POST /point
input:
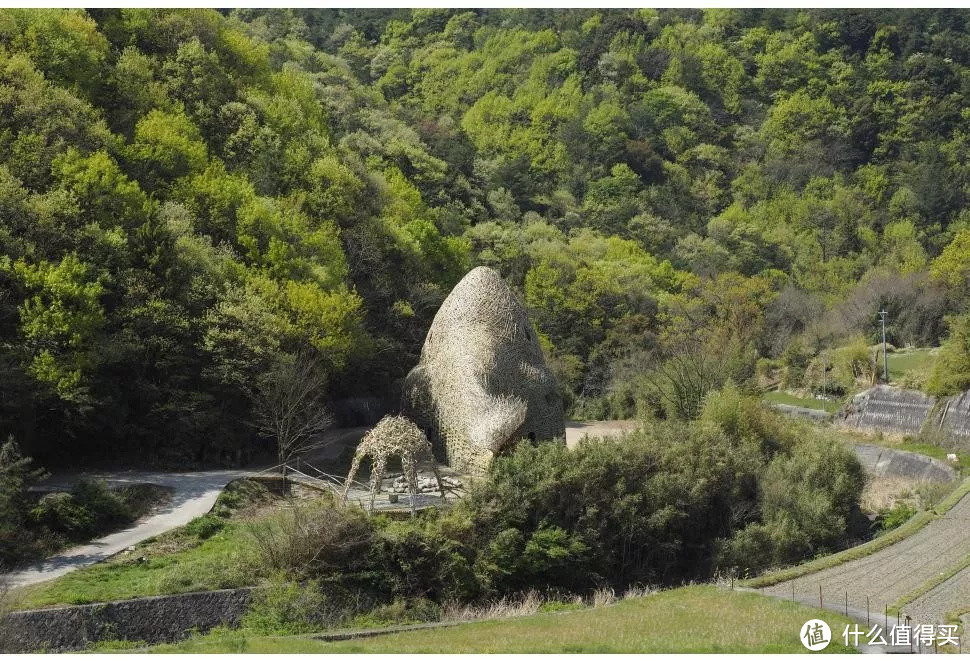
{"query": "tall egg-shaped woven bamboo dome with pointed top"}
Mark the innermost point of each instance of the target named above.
(482, 383)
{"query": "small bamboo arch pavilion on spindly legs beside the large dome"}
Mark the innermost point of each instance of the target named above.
(394, 435)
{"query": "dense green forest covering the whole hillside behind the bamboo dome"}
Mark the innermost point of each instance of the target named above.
(189, 197)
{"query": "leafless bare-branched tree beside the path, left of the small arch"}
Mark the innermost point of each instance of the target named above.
(291, 408)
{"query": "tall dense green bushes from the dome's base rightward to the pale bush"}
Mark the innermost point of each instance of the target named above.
(739, 488)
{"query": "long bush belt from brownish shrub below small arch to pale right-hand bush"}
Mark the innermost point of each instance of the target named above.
(736, 490)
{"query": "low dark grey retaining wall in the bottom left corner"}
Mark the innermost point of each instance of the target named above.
(153, 620)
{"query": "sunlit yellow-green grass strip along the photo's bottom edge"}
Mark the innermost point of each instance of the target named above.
(694, 619)
